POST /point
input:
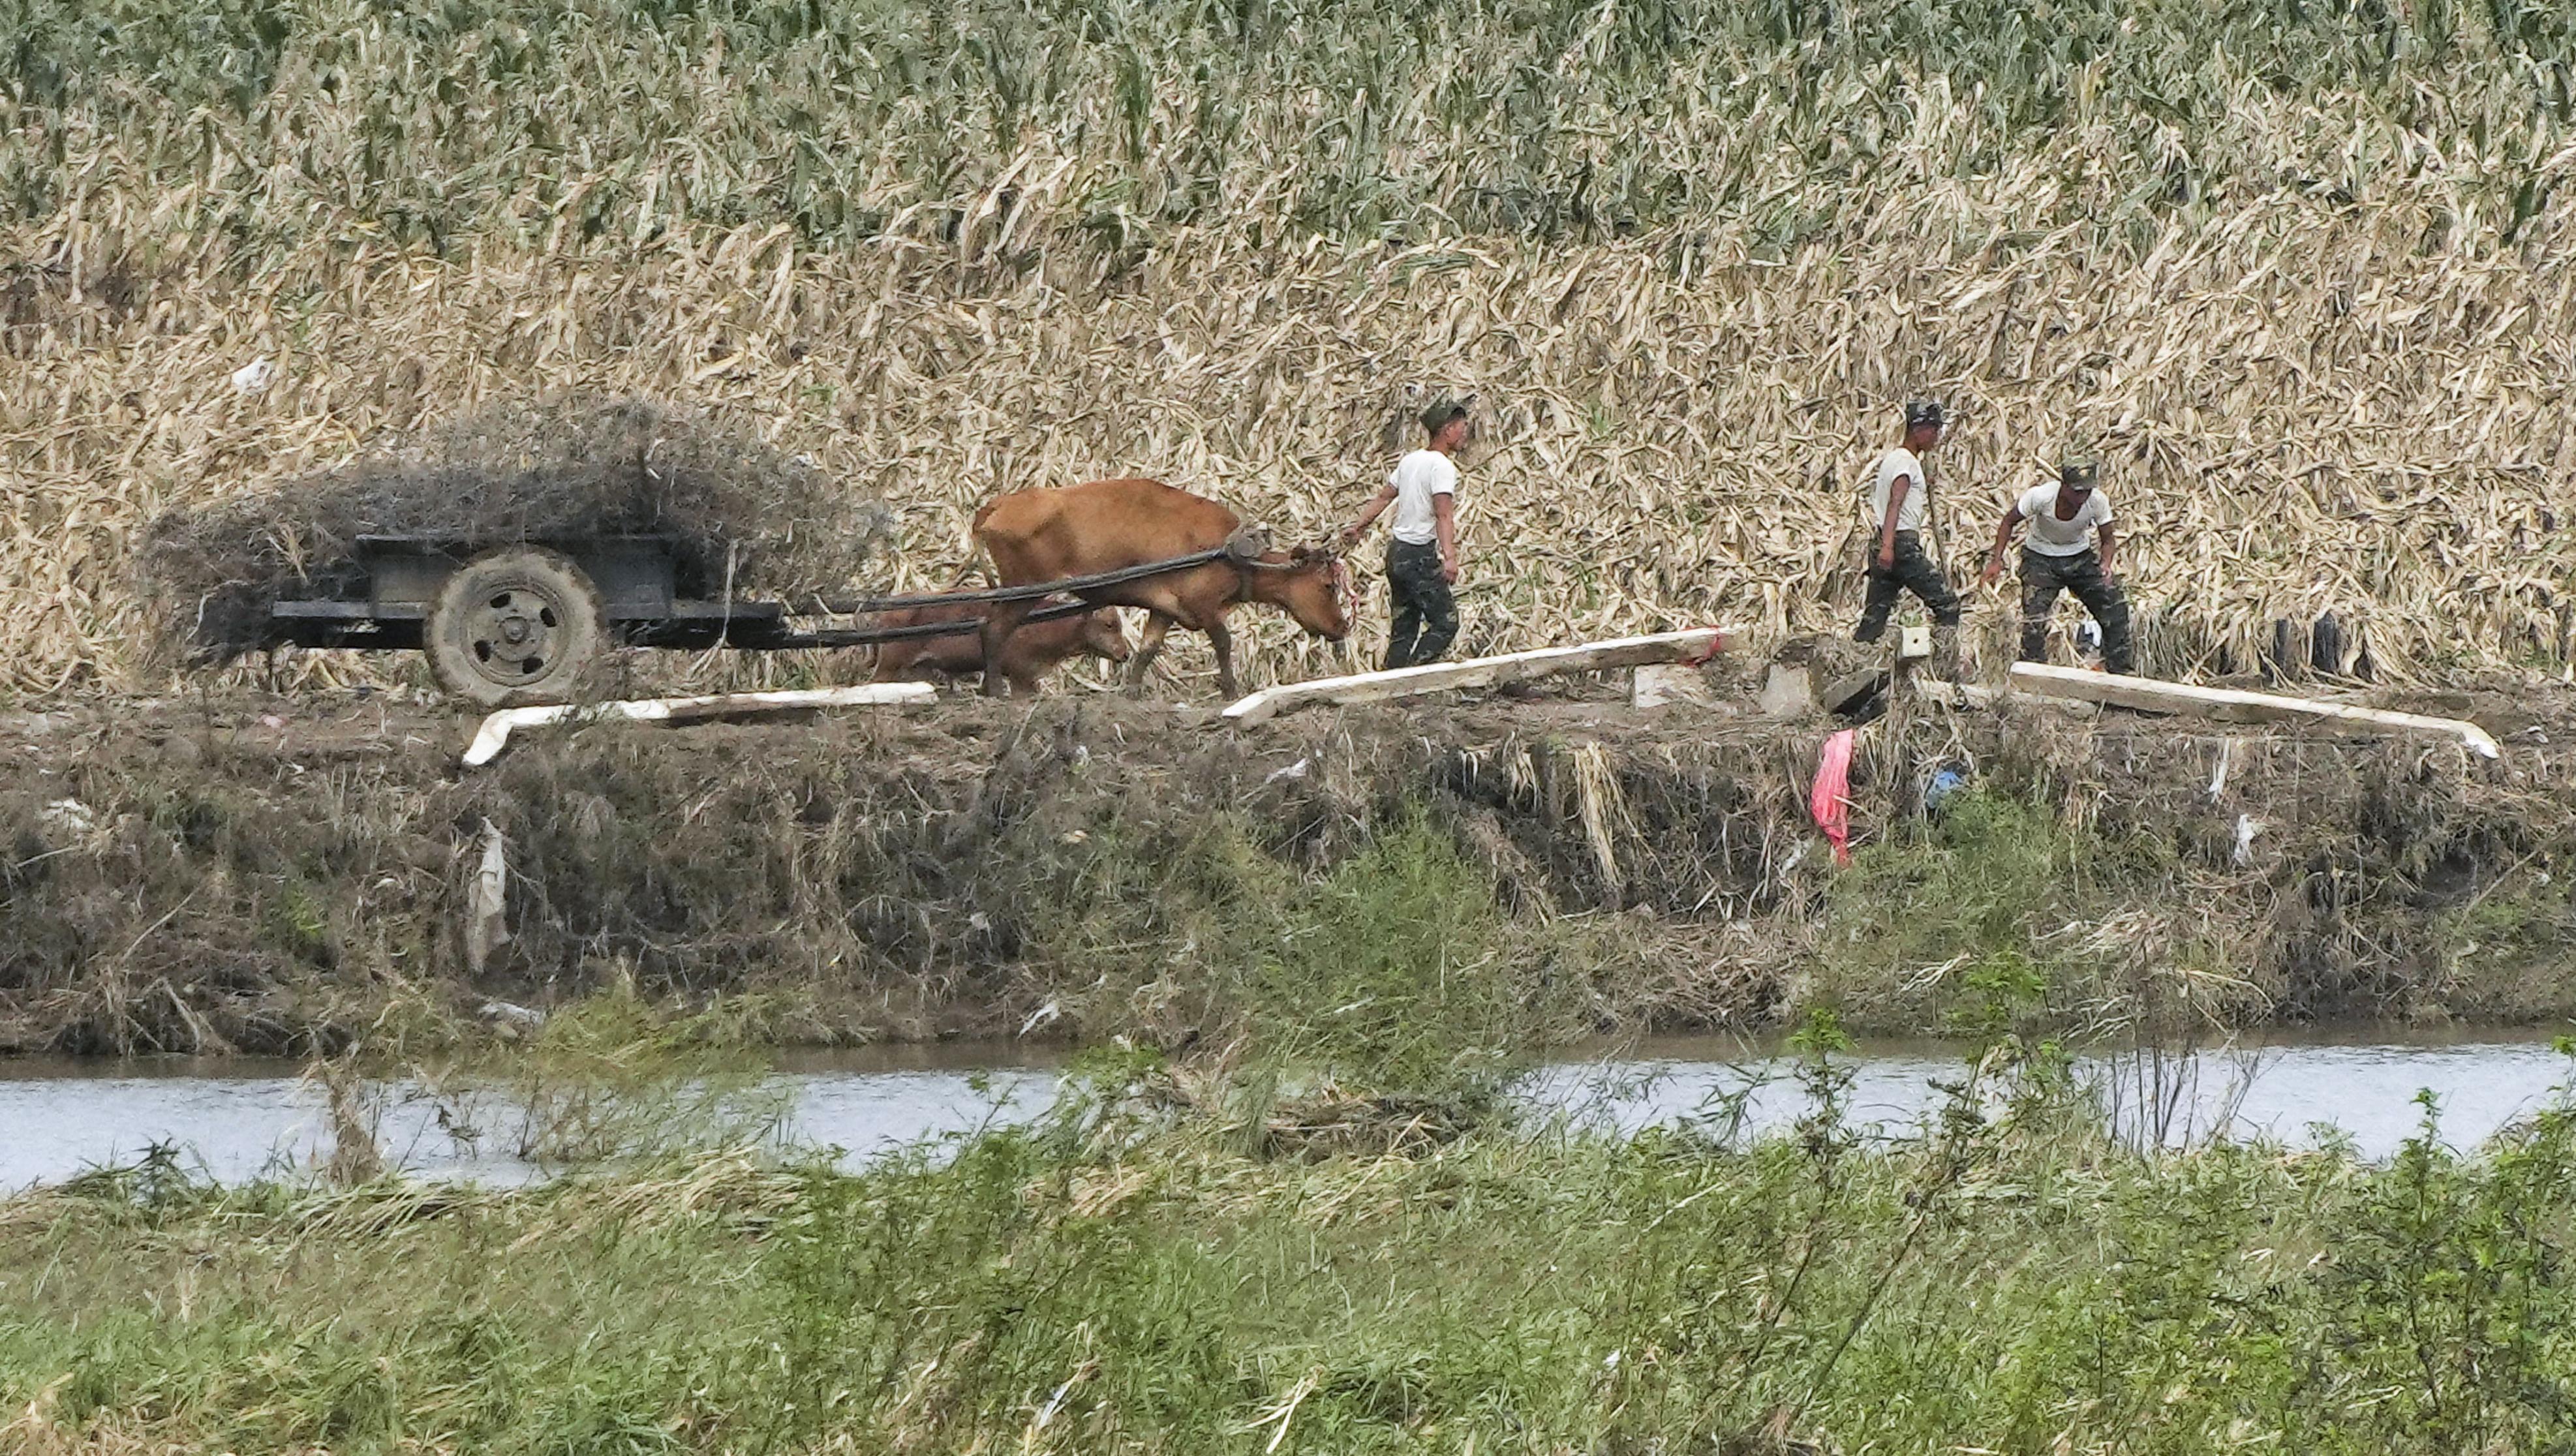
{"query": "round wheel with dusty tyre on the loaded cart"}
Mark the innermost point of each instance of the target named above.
(514, 627)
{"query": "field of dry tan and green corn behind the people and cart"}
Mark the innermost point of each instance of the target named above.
(2297, 269)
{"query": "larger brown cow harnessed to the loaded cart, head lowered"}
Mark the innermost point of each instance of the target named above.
(1109, 524)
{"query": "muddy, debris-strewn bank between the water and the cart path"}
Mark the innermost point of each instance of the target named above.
(267, 875)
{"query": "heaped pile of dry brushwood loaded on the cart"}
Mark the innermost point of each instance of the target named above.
(535, 470)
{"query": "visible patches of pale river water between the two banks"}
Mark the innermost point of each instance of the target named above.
(246, 1120)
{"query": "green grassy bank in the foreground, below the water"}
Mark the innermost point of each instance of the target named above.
(1173, 1269)
